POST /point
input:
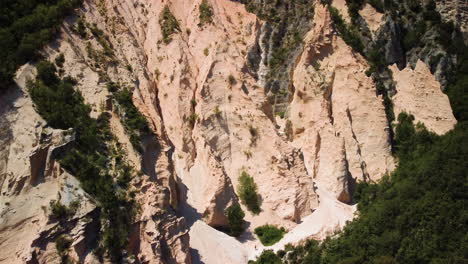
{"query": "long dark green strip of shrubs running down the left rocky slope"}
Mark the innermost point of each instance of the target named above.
(91, 156)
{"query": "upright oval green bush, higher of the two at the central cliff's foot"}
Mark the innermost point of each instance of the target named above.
(247, 190)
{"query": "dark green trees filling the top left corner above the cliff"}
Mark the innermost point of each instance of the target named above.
(25, 27)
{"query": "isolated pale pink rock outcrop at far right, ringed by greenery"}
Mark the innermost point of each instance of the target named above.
(420, 94)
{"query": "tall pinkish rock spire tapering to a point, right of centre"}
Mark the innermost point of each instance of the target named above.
(338, 121)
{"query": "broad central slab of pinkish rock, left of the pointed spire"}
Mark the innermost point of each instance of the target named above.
(210, 156)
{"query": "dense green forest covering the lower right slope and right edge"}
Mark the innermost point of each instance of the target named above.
(417, 214)
